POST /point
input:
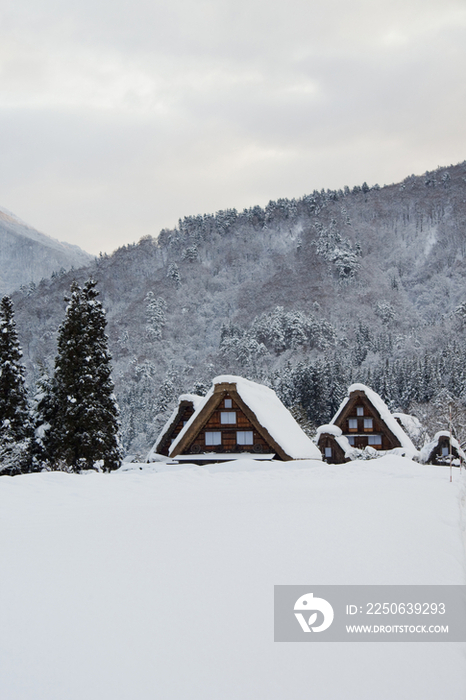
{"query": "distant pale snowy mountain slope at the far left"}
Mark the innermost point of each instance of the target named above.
(26, 255)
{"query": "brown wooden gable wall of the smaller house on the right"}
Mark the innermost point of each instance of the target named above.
(359, 435)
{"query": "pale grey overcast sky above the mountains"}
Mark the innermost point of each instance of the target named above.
(118, 117)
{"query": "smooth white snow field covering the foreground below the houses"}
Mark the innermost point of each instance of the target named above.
(158, 583)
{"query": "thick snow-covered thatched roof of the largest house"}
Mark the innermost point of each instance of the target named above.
(271, 414)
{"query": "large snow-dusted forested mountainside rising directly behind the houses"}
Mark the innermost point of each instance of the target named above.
(307, 295)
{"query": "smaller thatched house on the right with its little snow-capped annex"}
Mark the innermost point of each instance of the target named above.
(365, 421)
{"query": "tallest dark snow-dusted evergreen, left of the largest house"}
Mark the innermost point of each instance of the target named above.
(82, 410)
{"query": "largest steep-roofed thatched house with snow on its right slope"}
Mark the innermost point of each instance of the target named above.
(240, 418)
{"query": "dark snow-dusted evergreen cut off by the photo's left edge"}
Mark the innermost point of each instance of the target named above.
(15, 421)
